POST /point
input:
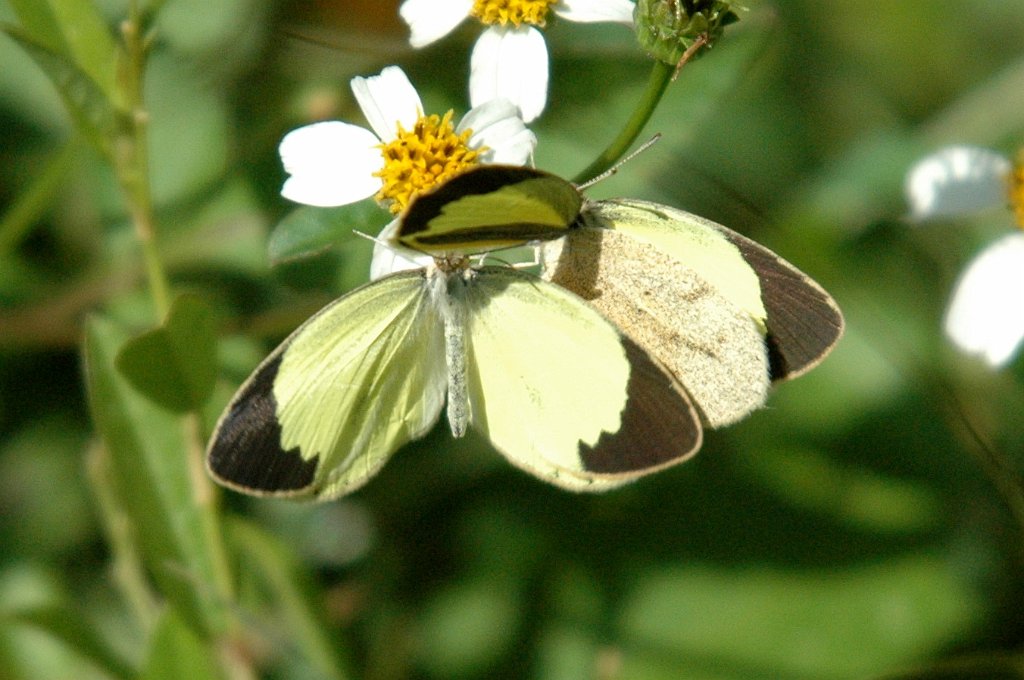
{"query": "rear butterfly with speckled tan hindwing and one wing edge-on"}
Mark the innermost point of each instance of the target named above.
(726, 315)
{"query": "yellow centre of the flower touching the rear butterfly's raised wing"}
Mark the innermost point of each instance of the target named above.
(417, 160)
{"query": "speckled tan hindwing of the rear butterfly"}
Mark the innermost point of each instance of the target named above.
(713, 347)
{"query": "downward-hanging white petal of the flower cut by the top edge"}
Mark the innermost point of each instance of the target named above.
(510, 64)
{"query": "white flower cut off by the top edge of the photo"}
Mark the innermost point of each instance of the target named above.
(510, 59)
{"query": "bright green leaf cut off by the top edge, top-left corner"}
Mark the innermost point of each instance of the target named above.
(76, 31)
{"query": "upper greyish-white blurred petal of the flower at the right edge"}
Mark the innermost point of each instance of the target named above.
(957, 181)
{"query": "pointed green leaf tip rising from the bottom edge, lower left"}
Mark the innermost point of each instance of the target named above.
(176, 653)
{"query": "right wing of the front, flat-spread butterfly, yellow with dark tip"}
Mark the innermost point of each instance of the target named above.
(562, 393)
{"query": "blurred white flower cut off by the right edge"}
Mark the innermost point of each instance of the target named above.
(987, 314)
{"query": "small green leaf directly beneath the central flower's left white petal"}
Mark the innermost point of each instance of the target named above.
(308, 231)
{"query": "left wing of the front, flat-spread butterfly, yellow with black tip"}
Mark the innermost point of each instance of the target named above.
(345, 392)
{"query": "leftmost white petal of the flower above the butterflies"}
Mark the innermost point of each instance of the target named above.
(330, 164)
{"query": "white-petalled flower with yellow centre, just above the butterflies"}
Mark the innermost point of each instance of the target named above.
(335, 163)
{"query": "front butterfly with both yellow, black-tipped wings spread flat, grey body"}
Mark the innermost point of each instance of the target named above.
(530, 366)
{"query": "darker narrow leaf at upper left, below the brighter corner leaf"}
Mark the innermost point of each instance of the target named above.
(93, 112)
